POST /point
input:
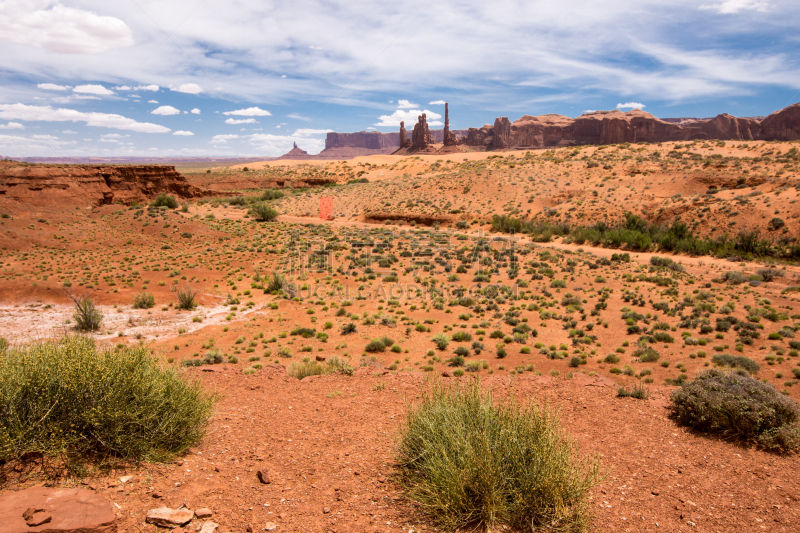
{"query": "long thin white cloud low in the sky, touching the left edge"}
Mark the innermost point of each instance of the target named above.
(102, 120)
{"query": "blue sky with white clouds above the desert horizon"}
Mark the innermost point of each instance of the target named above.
(165, 78)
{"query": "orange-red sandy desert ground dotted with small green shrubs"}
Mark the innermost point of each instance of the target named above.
(523, 269)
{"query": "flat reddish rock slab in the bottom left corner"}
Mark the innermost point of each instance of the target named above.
(42, 509)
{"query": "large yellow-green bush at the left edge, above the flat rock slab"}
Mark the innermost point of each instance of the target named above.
(69, 398)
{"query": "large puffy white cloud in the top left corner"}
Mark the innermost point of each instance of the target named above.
(61, 29)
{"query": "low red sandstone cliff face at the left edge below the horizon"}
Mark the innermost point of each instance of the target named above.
(81, 185)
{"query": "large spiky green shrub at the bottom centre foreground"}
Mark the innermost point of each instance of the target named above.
(468, 460)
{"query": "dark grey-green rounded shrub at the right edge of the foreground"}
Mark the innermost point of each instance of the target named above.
(738, 406)
